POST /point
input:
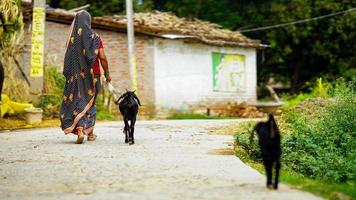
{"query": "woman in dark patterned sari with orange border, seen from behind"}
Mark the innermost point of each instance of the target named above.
(84, 48)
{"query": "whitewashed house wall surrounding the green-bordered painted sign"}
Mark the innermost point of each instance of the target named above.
(184, 74)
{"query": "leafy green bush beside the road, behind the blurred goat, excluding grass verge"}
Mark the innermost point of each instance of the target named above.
(318, 135)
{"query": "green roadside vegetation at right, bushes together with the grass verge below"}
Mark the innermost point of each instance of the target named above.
(318, 140)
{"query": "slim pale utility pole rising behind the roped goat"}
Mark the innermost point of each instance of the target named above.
(131, 45)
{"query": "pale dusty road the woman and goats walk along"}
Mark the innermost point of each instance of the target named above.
(170, 160)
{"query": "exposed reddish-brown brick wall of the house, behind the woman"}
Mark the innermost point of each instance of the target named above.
(115, 47)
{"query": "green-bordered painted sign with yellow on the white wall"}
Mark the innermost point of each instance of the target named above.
(229, 72)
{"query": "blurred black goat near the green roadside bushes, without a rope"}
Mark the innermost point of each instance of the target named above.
(270, 145)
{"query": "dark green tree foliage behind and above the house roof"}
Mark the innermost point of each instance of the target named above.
(297, 53)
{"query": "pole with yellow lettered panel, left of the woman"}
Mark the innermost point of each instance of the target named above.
(37, 47)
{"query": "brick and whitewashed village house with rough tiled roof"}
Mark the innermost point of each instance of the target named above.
(181, 64)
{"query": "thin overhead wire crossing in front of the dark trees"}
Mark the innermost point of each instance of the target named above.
(296, 22)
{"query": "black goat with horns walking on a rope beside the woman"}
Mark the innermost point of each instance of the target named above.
(129, 108)
